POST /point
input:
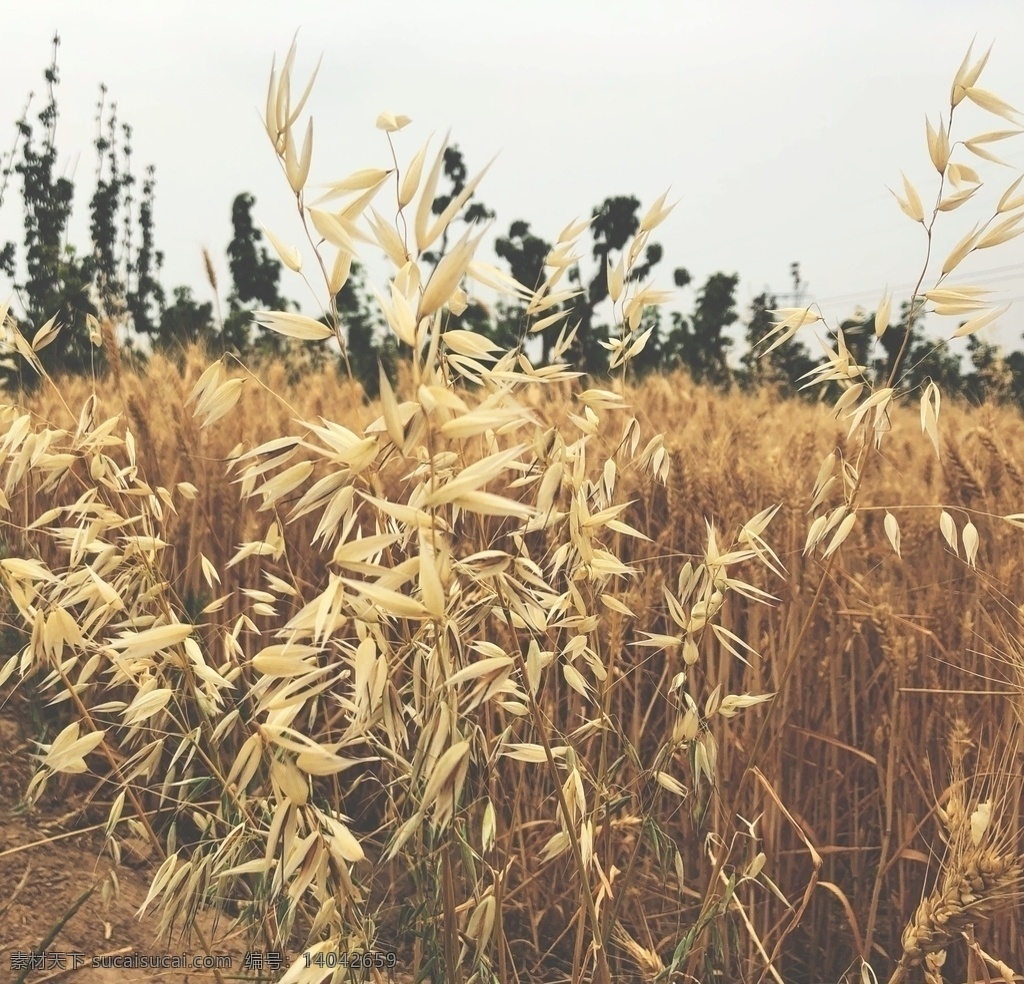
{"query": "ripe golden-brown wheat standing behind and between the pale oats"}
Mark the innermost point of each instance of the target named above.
(900, 682)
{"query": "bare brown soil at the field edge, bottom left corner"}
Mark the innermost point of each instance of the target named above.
(54, 854)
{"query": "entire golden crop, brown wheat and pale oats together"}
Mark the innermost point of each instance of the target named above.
(515, 675)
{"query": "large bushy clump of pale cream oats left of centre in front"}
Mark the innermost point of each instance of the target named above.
(461, 637)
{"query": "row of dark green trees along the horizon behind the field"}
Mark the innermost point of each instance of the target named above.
(119, 278)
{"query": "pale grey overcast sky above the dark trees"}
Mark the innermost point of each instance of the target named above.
(778, 125)
